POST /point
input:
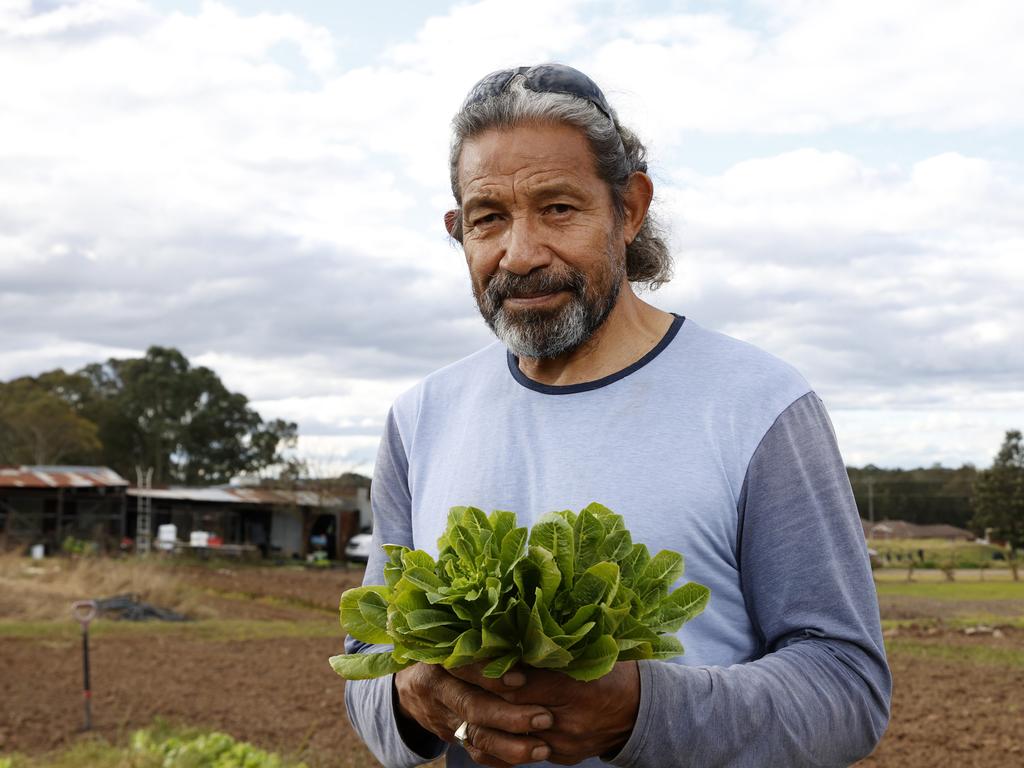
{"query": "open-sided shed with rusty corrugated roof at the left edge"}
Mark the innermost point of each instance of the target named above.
(46, 505)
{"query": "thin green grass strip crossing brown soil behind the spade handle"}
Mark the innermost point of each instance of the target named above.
(225, 630)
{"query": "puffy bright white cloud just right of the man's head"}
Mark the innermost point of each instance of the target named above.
(819, 195)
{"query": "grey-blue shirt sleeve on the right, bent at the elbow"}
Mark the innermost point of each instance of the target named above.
(820, 693)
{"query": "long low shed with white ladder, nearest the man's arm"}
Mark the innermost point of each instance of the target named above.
(279, 523)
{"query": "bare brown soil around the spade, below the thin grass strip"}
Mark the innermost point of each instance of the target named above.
(279, 694)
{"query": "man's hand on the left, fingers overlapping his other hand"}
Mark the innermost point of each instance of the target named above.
(498, 731)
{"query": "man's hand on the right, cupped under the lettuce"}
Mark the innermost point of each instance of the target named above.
(590, 719)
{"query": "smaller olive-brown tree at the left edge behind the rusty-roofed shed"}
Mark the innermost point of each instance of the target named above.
(38, 428)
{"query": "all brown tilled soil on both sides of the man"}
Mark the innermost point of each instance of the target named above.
(950, 707)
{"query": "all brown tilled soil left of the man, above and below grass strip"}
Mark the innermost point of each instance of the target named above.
(279, 694)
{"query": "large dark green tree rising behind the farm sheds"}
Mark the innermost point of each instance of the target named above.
(161, 412)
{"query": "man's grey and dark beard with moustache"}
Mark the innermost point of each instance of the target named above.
(546, 334)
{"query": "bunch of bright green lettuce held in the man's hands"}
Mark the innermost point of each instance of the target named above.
(575, 594)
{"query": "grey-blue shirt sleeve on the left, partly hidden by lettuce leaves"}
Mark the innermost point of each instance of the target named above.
(370, 703)
